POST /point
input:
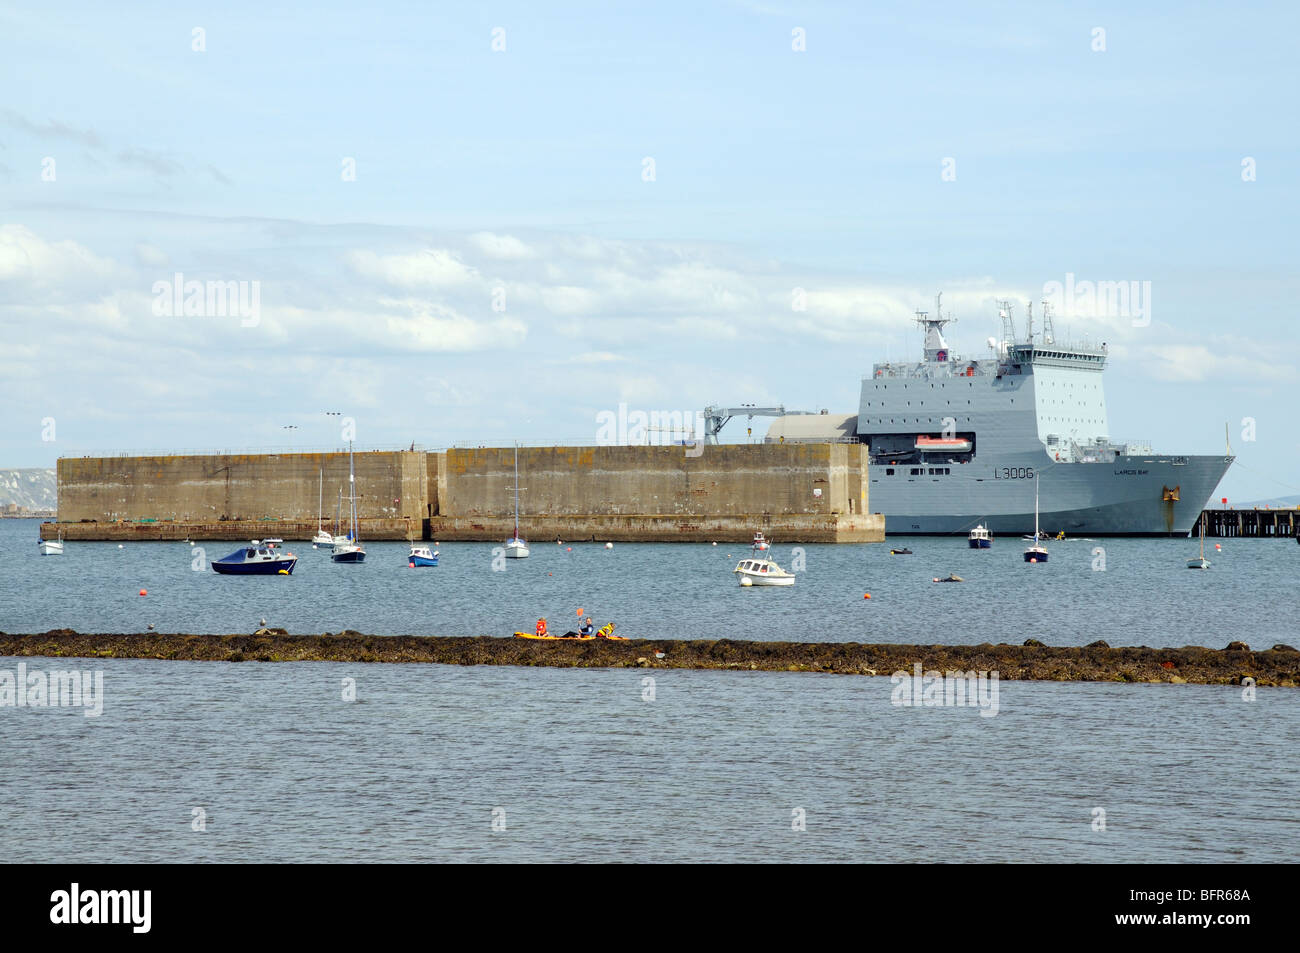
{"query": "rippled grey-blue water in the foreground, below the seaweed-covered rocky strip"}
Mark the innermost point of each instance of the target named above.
(579, 766)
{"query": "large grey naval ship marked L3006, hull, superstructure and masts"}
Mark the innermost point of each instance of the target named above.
(956, 444)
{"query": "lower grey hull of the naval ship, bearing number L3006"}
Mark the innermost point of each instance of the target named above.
(1134, 496)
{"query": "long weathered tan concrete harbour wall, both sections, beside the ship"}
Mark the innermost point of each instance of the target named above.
(799, 493)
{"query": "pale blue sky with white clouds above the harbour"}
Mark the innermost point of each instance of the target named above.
(478, 224)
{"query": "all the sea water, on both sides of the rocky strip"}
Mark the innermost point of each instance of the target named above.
(718, 766)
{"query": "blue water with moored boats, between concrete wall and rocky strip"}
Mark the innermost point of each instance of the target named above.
(1146, 596)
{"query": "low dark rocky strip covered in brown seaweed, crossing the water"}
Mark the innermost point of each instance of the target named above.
(1098, 662)
